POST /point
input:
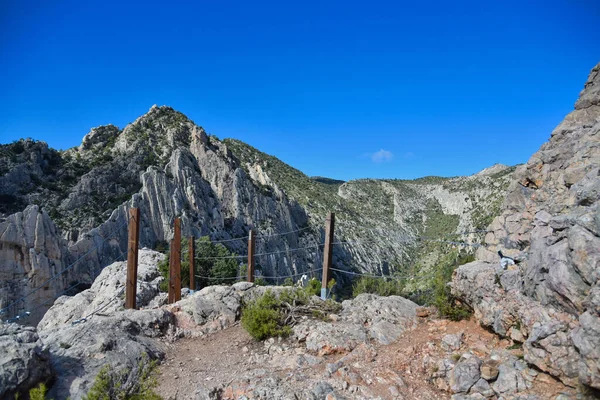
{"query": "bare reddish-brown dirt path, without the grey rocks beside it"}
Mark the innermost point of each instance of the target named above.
(233, 361)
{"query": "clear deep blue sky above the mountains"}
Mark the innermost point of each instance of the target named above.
(338, 89)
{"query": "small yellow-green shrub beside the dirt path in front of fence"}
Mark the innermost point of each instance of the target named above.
(262, 318)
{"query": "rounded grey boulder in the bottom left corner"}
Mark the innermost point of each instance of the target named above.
(23, 363)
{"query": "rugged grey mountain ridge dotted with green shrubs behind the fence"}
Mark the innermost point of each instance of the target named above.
(59, 206)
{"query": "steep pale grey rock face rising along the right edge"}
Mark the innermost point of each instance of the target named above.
(550, 223)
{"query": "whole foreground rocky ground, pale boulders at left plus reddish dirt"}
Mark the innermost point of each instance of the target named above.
(373, 347)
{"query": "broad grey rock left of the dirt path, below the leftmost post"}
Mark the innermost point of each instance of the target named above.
(122, 340)
